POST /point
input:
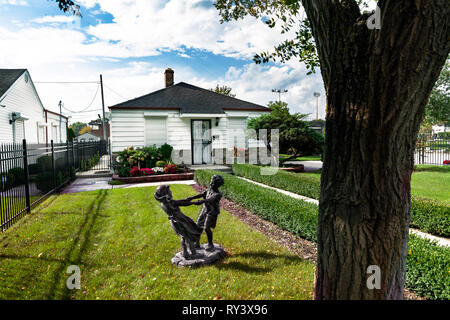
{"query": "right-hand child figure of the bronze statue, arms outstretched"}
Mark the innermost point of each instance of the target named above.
(207, 217)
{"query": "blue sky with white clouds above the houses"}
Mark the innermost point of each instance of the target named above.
(131, 43)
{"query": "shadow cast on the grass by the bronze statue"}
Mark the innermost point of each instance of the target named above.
(253, 267)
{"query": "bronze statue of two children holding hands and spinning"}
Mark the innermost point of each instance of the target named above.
(189, 231)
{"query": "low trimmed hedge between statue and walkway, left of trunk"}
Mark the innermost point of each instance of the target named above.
(297, 216)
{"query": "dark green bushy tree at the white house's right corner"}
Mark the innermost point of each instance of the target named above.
(296, 138)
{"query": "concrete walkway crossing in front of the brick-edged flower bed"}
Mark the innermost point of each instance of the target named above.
(92, 184)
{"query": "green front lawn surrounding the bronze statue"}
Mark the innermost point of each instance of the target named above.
(123, 243)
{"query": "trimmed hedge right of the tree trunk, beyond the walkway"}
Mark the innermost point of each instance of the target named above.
(430, 216)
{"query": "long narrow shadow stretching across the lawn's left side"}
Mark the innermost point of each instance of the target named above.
(82, 239)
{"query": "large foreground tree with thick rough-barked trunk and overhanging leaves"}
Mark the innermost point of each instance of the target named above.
(378, 82)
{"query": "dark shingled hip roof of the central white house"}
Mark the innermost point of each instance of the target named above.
(189, 99)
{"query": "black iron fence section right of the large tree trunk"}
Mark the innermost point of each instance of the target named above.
(432, 149)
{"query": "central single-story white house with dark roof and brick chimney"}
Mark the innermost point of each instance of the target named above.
(196, 122)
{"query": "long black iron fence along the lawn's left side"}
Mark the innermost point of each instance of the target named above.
(31, 172)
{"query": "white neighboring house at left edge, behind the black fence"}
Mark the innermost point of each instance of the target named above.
(22, 114)
